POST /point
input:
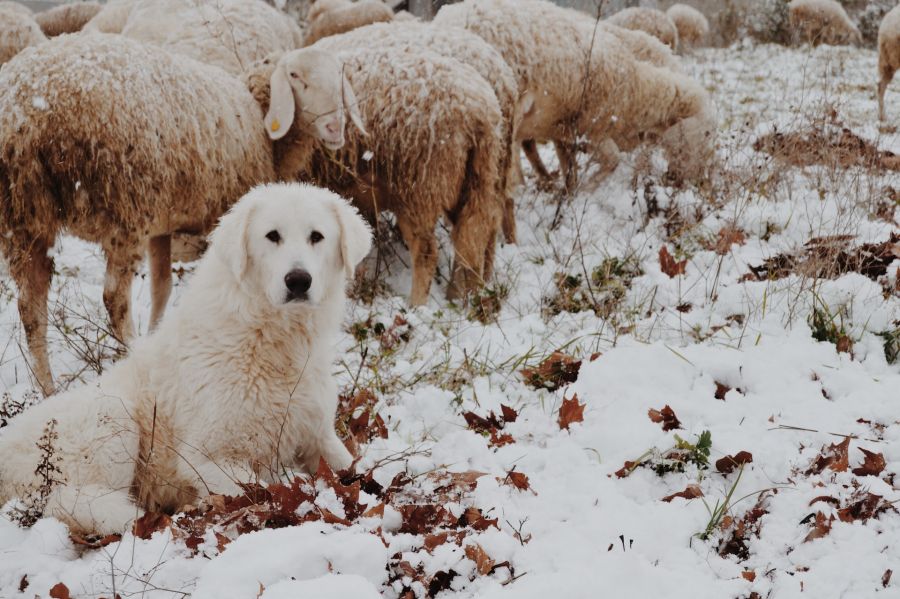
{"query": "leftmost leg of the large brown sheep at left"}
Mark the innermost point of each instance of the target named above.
(32, 273)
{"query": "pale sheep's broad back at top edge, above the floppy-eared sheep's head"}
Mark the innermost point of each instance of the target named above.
(230, 34)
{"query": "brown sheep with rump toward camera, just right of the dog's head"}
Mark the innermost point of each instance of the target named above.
(434, 147)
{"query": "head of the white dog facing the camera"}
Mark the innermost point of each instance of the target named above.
(291, 244)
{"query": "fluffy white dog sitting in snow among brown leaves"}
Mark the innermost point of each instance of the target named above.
(233, 386)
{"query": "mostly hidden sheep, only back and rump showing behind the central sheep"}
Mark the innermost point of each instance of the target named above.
(471, 50)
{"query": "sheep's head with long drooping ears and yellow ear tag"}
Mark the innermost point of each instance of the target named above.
(309, 90)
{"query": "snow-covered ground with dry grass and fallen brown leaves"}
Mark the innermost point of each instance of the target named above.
(729, 354)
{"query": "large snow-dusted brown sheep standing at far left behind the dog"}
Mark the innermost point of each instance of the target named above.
(122, 143)
